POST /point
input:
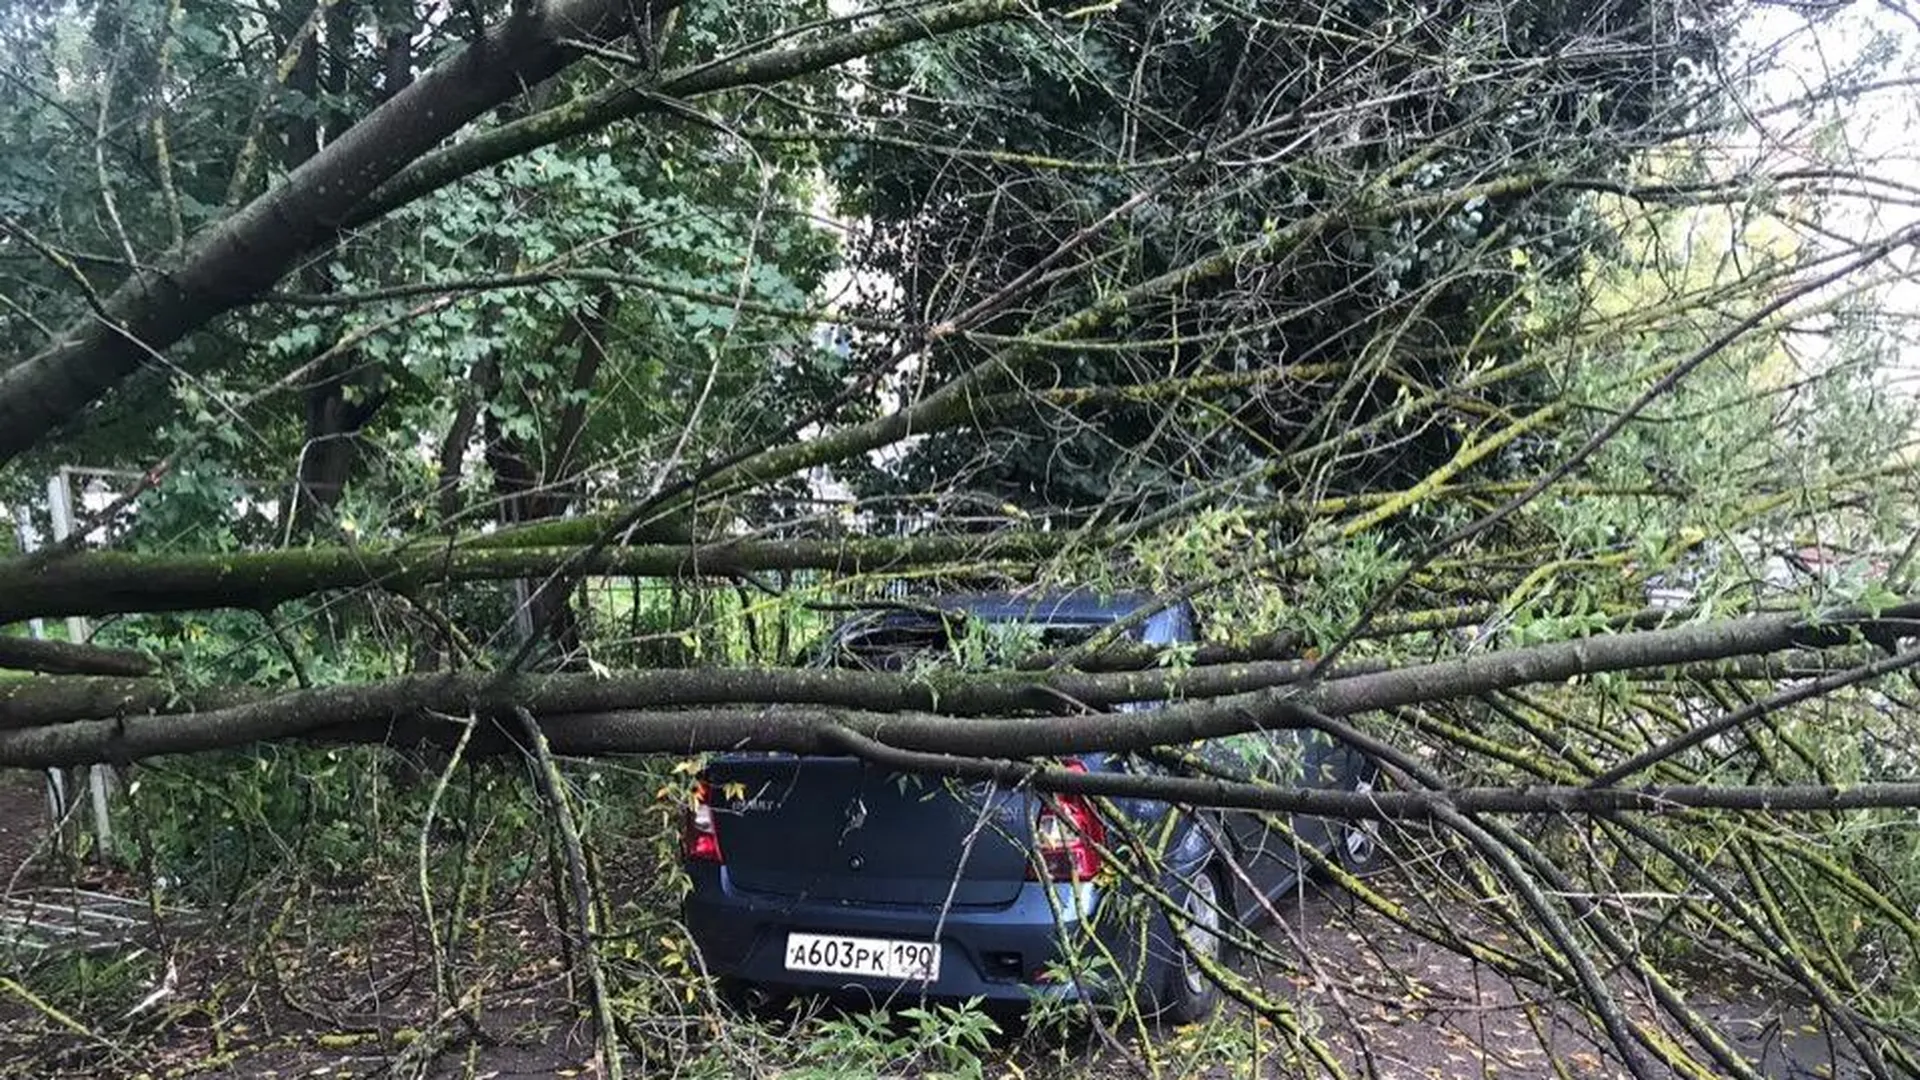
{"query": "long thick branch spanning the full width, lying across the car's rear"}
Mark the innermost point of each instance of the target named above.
(796, 710)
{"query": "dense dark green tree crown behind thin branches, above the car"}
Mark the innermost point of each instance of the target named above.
(1138, 105)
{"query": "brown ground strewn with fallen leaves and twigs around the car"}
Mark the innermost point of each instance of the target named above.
(331, 975)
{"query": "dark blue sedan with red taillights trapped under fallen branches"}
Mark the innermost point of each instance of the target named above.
(832, 875)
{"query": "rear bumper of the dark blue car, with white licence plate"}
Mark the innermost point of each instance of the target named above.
(997, 954)
